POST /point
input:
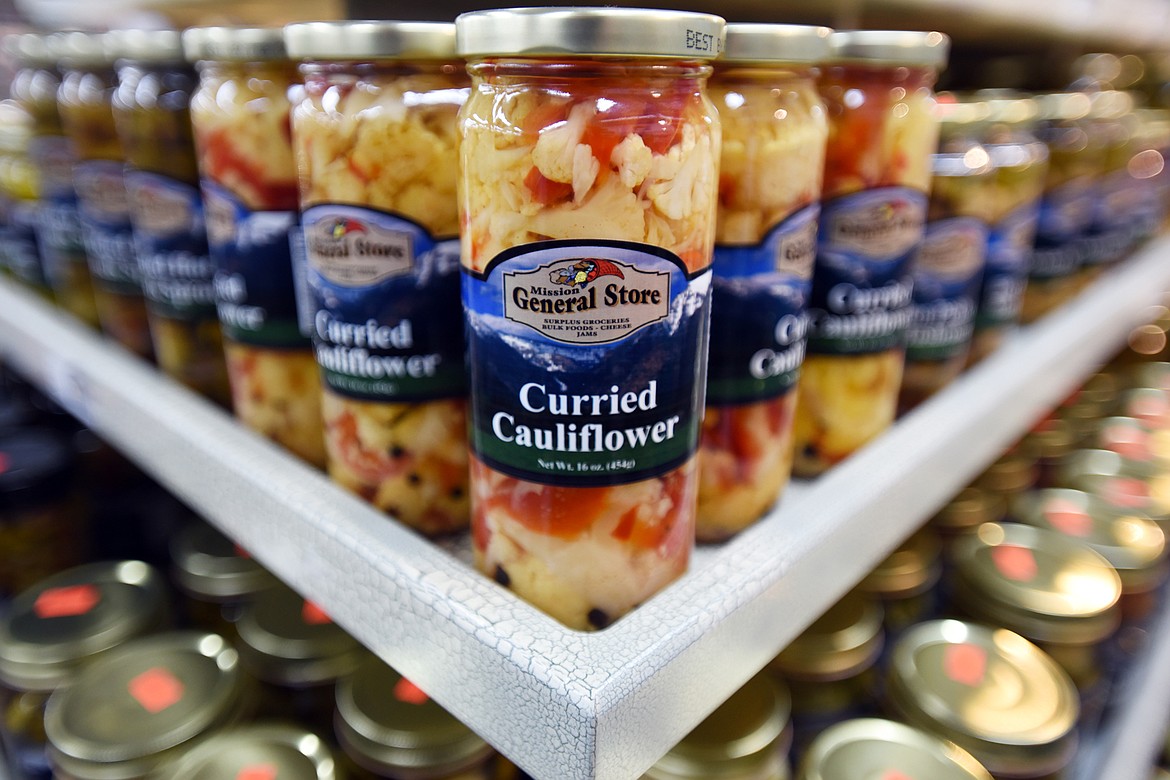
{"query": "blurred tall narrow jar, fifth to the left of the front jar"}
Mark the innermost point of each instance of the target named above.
(58, 225)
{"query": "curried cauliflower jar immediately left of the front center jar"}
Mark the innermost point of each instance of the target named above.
(376, 140)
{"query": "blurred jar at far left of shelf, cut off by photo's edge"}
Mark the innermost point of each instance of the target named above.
(20, 190)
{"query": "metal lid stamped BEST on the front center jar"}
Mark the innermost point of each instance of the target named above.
(590, 31)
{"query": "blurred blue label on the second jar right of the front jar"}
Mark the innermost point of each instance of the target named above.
(862, 284)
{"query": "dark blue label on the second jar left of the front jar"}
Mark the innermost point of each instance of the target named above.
(254, 293)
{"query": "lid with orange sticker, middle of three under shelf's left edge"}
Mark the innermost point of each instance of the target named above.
(290, 641)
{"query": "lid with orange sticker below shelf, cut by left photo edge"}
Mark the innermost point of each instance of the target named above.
(50, 631)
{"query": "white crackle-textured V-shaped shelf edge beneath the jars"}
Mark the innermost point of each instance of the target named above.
(568, 706)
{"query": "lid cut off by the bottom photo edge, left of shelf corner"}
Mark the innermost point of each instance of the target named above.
(261, 750)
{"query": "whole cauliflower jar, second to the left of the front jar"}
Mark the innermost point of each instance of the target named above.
(240, 115)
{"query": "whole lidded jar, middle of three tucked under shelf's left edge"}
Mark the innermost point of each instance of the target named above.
(299, 654)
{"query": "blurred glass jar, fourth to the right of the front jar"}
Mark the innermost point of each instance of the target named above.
(1020, 162)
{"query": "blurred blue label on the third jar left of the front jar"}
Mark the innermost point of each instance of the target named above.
(171, 243)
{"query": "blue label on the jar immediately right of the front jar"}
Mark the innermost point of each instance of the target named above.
(759, 321)
